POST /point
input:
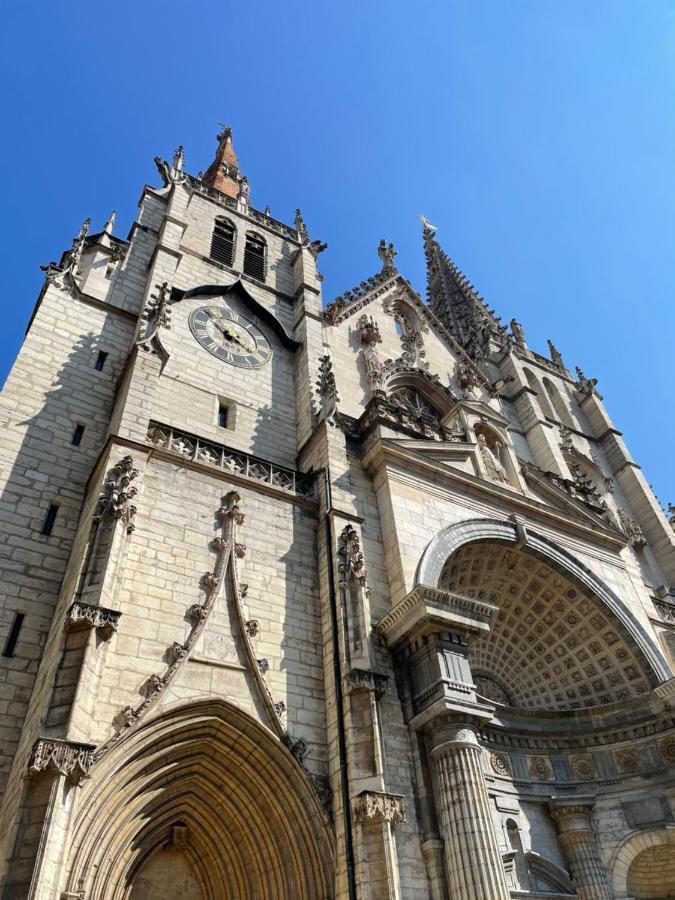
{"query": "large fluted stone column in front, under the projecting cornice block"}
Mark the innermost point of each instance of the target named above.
(473, 861)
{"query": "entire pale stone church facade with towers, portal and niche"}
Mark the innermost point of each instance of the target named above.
(300, 600)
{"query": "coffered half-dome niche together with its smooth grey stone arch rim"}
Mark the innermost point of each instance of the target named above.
(560, 639)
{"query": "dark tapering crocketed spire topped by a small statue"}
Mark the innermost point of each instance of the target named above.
(455, 302)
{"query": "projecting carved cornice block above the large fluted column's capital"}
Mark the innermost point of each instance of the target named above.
(427, 610)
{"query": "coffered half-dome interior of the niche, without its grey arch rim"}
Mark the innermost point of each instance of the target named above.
(553, 644)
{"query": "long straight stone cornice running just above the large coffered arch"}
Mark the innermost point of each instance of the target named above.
(386, 450)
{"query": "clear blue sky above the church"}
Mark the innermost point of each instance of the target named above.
(537, 135)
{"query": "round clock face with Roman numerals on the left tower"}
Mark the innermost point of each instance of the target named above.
(230, 337)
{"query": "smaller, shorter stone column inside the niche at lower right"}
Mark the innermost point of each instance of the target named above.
(580, 847)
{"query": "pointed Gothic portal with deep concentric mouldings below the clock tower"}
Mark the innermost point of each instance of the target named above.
(206, 795)
